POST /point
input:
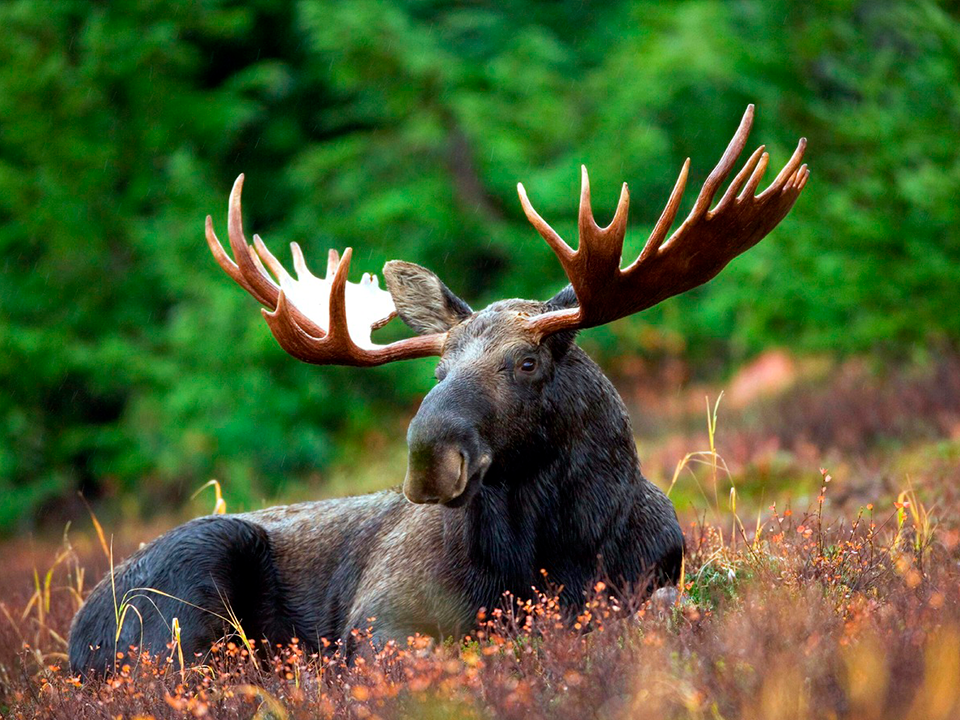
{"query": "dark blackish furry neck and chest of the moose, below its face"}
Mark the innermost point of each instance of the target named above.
(548, 503)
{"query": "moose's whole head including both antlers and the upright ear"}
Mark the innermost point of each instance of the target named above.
(495, 363)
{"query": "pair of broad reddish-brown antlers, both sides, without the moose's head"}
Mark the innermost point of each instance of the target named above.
(329, 320)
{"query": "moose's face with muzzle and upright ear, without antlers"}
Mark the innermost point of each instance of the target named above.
(491, 379)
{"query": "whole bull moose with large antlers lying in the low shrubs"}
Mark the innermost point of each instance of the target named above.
(521, 459)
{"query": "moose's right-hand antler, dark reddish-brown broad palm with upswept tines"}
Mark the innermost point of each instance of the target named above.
(698, 250)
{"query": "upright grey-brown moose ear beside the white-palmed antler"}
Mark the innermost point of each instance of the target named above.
(423, 301)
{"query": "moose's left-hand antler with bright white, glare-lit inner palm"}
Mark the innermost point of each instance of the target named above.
(309, 316)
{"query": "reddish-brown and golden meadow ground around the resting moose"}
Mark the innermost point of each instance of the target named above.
(821, 580)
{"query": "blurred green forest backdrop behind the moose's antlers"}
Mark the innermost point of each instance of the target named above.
(129, 361)
